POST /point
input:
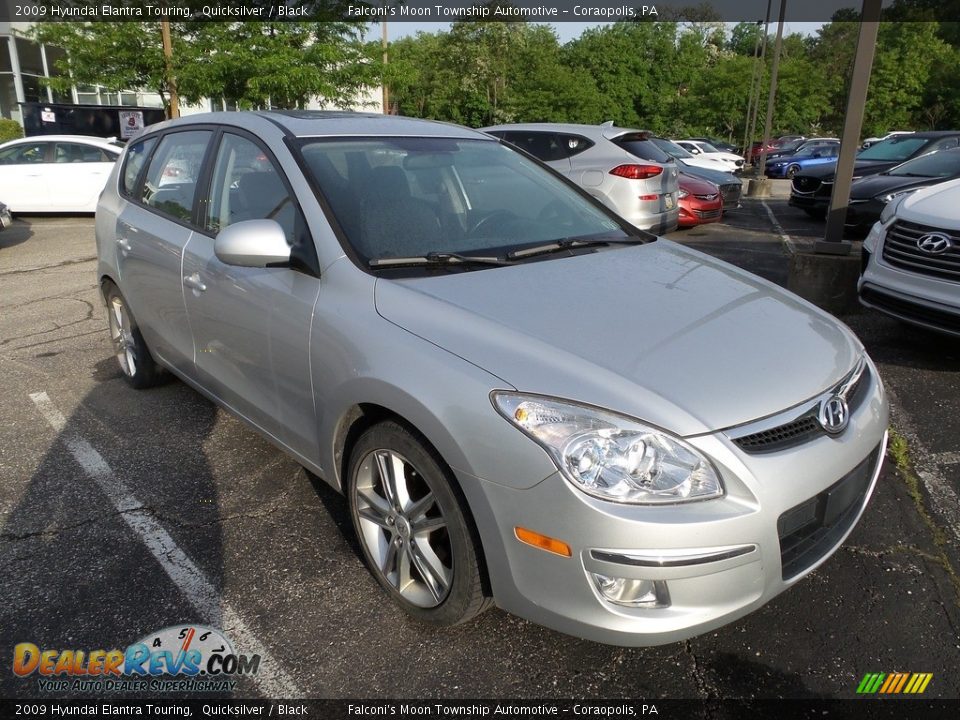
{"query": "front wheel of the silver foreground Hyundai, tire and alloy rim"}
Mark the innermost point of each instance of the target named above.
(451, 591)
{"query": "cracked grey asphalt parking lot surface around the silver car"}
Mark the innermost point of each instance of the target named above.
(247, 541)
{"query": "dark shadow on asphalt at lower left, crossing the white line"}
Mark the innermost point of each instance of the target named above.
(77, 572)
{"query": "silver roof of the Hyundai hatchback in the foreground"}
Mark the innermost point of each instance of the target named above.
(329, 123)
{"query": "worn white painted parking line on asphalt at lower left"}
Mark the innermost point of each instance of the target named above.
(272, 681)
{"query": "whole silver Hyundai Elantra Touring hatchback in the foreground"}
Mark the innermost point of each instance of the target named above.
(526, 400)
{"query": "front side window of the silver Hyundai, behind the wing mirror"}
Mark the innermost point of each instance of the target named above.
(247, 186)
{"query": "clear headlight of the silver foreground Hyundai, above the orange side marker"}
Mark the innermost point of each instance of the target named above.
(610, 456)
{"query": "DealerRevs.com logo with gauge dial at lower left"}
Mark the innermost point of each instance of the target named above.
(200, 658)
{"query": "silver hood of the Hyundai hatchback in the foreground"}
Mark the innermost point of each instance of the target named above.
(660, 332)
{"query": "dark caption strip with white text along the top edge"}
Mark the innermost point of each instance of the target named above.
(558, 11)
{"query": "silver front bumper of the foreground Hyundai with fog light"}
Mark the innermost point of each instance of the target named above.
(719, 559)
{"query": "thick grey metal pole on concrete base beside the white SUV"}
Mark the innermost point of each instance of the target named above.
(859, 83)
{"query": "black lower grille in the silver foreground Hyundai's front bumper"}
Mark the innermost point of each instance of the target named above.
(810, 530)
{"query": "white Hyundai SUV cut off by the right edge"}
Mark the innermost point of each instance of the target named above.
(911, 259)
